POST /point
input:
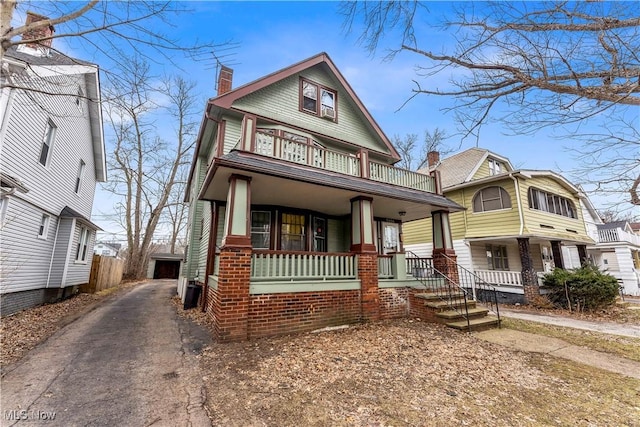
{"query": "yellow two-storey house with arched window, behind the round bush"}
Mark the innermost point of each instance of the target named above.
(517, 224)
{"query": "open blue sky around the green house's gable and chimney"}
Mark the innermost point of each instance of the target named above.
(272, 35)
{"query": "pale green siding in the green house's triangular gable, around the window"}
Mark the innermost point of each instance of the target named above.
(280, 102)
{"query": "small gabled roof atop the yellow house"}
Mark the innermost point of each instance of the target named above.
(461, 167)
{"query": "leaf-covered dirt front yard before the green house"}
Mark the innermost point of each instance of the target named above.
(405, 373)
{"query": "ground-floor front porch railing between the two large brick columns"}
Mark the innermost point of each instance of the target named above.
(276, 265)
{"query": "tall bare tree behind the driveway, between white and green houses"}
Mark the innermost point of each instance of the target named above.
(144, 167)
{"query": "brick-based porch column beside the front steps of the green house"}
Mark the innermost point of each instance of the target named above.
(444, 257)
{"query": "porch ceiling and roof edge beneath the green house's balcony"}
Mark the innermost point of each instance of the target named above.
(279, 183)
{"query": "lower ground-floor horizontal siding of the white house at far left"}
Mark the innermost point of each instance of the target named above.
(25, 258)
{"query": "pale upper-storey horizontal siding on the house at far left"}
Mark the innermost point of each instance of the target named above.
(51, 187)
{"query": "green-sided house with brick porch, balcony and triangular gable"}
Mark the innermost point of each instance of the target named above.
(296, 209)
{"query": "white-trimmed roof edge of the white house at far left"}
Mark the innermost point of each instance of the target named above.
(56, 63)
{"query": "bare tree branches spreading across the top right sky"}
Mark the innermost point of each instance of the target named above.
(528, 64)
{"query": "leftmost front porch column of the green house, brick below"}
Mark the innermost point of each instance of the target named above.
(231, 299)
